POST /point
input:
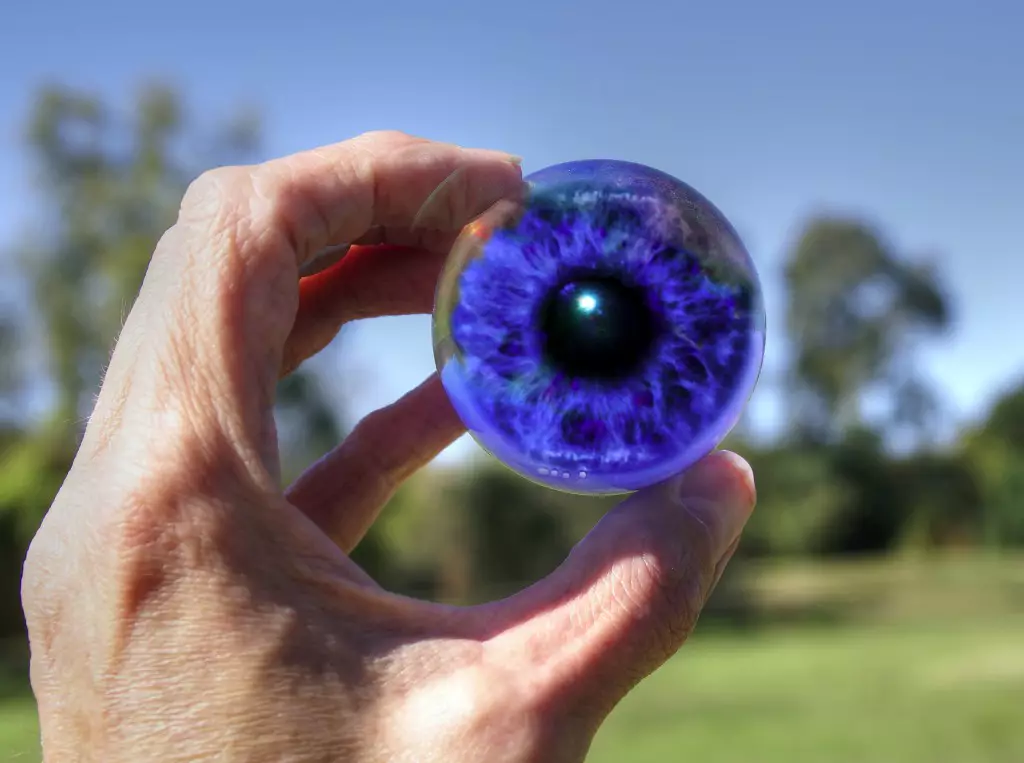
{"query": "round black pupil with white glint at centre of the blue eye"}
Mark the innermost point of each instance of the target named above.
(598, 328)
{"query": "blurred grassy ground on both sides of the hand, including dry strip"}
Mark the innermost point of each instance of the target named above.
(926, 665)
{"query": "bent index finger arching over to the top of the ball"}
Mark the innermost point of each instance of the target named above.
(222, 294)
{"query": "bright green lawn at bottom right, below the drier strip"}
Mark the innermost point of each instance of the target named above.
(950, 694)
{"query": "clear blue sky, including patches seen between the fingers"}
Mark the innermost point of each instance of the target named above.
(907, 113)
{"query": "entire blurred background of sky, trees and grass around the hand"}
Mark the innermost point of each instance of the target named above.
(871, 154)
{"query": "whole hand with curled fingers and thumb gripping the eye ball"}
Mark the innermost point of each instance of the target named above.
(183, 608)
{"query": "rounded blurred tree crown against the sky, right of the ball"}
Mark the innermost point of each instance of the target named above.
(856, 311)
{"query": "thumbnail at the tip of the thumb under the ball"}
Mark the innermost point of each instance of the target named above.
(719, 491)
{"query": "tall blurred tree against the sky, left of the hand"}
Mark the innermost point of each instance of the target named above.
(110, 186)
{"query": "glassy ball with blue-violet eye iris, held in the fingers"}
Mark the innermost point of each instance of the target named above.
(602, 333)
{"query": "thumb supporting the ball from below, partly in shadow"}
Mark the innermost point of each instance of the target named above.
(630, 594)
